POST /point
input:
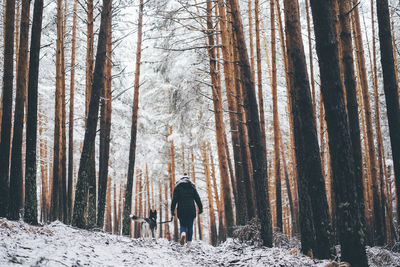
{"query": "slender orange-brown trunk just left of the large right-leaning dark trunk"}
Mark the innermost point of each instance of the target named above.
(71, 118)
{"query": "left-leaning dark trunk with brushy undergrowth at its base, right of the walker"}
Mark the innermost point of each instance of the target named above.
(260, 175)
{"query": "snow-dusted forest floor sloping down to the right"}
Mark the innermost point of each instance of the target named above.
(57, 244)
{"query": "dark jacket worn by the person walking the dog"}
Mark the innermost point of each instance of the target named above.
(185, 194)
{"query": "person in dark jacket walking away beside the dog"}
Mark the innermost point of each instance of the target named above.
(185, 194)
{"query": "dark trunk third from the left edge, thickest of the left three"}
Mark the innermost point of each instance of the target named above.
(30, 215)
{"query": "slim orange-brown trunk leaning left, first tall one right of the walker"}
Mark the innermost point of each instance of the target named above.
(220, 126)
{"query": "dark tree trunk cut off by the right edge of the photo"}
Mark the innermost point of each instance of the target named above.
(391, 90)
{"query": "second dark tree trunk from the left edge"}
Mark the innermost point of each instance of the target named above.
(16, 173)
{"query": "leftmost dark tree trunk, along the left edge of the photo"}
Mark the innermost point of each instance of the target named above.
(7, 91)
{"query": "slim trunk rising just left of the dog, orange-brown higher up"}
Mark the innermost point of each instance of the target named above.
(132, 148)
